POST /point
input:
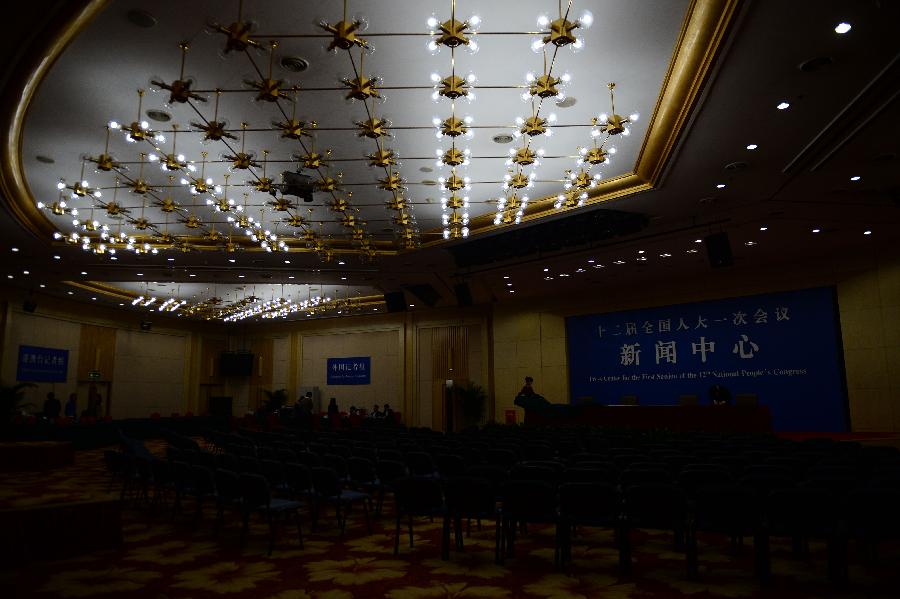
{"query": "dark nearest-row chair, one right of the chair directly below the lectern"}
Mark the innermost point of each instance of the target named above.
(592, 504)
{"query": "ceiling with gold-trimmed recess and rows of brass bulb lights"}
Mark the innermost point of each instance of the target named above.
(840, 123)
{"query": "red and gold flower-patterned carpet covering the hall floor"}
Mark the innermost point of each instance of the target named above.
(165, 558)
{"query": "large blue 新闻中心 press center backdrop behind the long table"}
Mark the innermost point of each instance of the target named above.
(783, 347)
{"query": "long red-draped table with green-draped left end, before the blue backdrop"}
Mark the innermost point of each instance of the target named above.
(748, 419)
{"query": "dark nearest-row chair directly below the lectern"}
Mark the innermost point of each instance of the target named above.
(526, 501)
